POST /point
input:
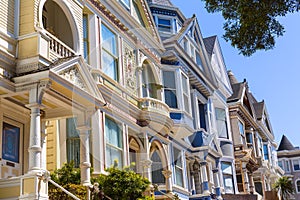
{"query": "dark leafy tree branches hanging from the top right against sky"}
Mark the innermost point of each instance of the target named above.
(252, 25)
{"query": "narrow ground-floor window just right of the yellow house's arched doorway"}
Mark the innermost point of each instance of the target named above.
(178, 165)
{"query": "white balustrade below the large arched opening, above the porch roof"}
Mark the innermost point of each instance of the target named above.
(58, 49)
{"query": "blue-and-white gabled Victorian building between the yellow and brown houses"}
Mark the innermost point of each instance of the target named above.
(196, 87)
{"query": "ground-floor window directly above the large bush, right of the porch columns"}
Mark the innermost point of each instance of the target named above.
(114, 143)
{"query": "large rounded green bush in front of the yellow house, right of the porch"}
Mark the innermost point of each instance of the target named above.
(123, 184)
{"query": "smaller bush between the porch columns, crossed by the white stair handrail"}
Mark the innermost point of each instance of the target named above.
(69, 178)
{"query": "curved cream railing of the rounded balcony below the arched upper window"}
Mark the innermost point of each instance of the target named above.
(154, 105)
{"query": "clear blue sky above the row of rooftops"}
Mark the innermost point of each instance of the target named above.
(273, 76)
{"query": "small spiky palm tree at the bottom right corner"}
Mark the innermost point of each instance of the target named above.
(285, 186)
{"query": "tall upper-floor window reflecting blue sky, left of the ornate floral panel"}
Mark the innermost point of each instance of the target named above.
(109, 53)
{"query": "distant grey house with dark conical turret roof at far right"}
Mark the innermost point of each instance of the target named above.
(288, 160)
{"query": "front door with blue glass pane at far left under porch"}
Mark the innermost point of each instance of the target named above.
(11, 148)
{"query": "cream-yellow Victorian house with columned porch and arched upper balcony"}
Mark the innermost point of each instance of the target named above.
(73, 73)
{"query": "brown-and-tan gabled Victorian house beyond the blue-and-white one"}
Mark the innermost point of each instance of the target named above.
(254, 145)
